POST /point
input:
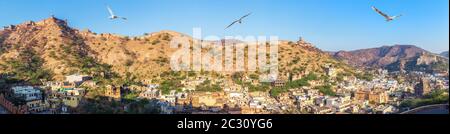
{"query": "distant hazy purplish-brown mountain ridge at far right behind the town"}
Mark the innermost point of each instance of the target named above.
(394, 58)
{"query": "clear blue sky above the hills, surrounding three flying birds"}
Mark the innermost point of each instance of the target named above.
(331, 25)
